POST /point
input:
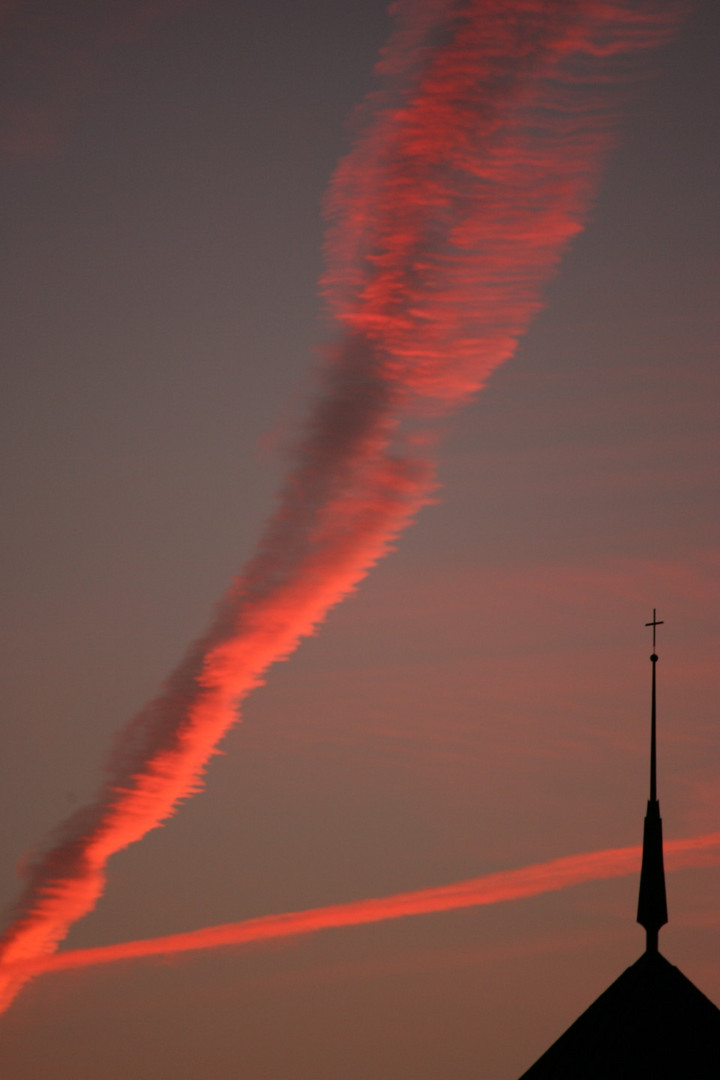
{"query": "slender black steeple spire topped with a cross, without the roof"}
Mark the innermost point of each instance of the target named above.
(653, 903)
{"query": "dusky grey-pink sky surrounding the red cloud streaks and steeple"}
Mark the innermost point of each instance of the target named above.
(481, 705)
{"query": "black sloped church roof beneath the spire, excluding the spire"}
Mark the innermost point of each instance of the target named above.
(650, 1023)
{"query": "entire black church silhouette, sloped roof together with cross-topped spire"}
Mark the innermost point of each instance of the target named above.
(653, 1023)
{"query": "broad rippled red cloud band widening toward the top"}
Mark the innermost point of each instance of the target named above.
(474, 170)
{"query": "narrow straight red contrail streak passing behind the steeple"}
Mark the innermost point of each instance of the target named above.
(491, 889)
